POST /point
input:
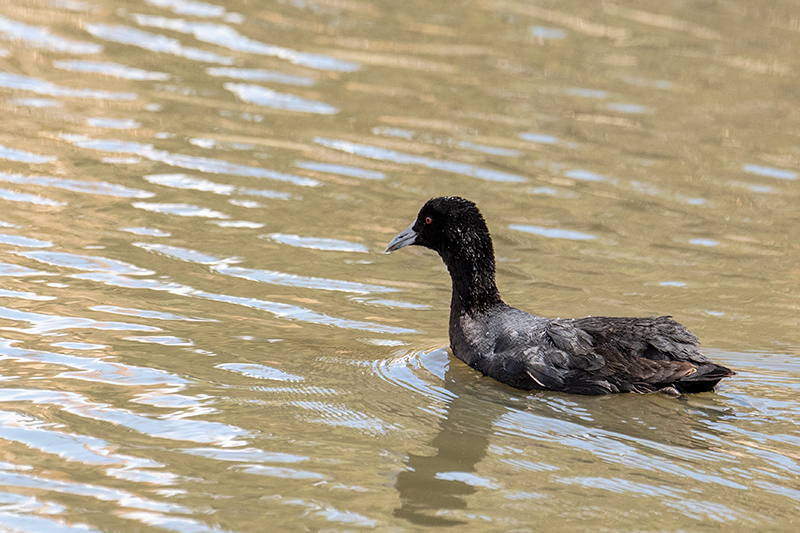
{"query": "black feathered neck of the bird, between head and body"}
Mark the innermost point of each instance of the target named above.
(472, 273)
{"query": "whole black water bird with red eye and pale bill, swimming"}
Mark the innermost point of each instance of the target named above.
(592, 355)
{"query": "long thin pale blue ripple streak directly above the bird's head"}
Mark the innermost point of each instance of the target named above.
(374, 152)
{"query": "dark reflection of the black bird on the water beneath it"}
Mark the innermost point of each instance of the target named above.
(665, 432)
